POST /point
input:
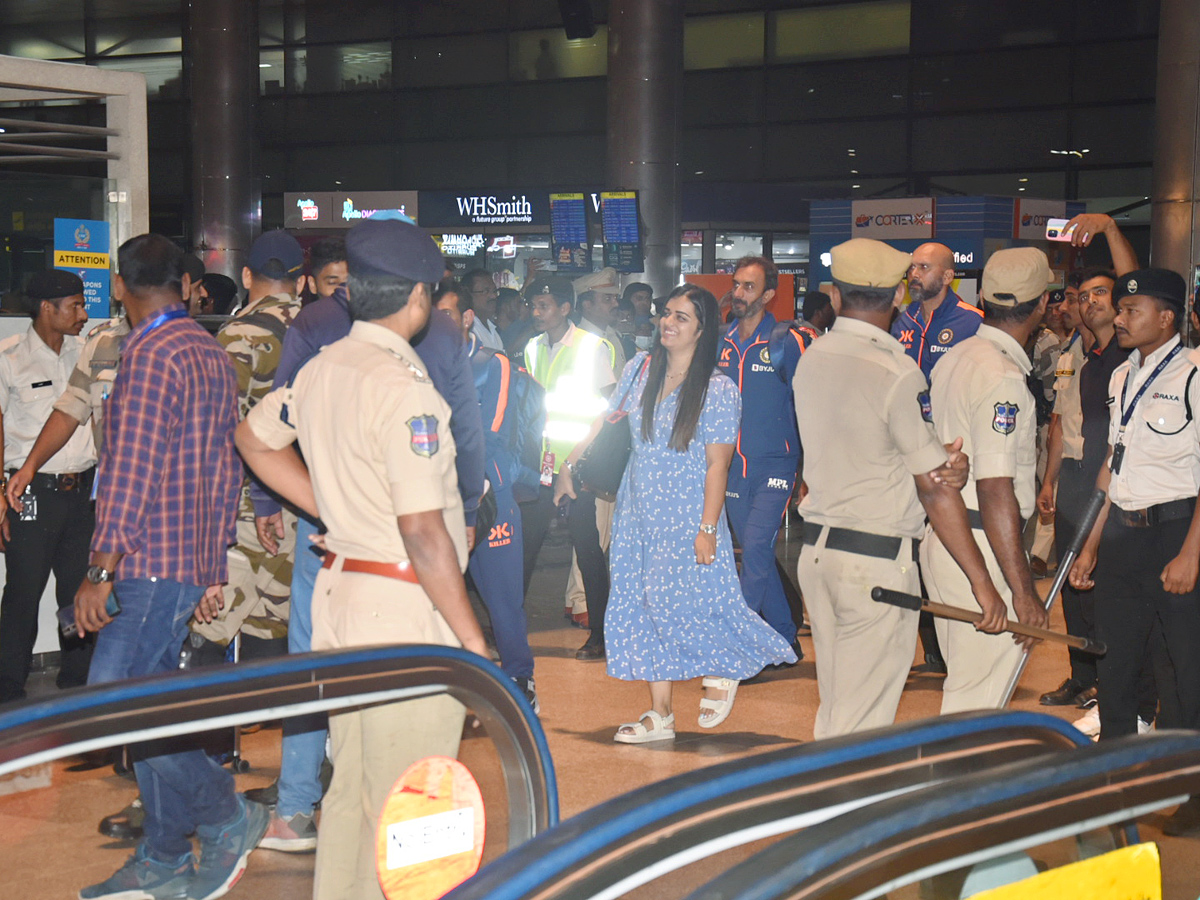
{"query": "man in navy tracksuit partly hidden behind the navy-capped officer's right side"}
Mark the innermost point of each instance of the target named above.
(497, 563)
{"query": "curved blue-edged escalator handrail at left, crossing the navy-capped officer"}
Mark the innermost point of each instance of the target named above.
(187, 703)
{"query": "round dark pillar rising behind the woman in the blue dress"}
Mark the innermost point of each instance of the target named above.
(645, 83)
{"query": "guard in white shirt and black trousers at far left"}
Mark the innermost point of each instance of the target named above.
(53, 529)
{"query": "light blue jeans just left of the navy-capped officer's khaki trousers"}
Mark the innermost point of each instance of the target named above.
(304, 737)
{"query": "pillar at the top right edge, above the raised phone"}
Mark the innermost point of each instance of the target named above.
(1175, 214)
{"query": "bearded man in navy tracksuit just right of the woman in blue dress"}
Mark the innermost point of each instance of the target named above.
(769, 451)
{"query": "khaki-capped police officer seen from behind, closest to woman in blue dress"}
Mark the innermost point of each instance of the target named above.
(875, 469)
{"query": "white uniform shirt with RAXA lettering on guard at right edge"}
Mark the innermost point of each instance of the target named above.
(1162, 457)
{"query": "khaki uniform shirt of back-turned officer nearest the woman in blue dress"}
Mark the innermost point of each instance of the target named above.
(862, 409)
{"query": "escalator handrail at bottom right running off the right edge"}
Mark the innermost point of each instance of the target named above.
(993, 813)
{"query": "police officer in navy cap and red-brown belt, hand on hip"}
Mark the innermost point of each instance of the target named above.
(376, 439)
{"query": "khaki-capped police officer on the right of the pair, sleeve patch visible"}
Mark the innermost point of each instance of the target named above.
(980, 393)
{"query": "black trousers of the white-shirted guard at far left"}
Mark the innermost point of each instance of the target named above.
(56, 542)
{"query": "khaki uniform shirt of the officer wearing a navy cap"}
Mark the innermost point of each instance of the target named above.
(376, 436)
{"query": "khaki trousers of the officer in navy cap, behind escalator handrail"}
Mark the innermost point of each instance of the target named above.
(373, 747)
